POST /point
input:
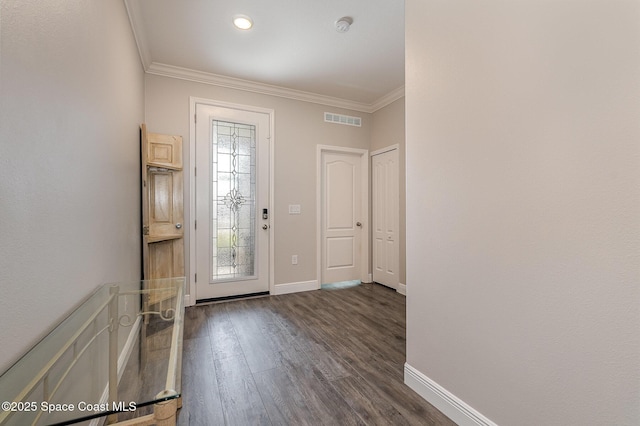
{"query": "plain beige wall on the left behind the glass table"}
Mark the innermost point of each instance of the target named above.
(70, 106)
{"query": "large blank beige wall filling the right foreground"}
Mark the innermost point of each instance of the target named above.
(523, 200)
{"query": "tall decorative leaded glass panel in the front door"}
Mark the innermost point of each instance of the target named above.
(234, 200)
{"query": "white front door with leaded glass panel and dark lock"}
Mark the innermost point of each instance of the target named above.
(232, 201)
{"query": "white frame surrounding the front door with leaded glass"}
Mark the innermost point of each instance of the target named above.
(193, 102)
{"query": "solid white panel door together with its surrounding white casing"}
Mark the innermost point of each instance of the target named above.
(343, 214)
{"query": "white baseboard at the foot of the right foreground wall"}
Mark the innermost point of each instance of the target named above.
(452, 406)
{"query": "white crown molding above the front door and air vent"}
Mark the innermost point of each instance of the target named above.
(268, 89)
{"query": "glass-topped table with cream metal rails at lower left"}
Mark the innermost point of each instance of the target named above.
(116, 359)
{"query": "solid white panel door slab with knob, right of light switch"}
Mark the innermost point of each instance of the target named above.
(342, 217)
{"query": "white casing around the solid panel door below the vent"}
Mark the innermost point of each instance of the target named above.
(365, 267)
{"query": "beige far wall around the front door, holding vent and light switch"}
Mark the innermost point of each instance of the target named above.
(299, 128)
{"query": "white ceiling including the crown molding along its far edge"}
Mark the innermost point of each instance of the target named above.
(293, 49)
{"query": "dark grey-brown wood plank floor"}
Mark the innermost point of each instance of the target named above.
(325, 357)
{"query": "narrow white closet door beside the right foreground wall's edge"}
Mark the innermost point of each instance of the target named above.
(385, 211)
